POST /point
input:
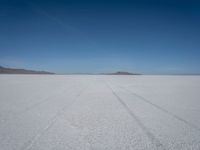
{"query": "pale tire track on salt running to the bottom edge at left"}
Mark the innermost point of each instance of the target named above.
(31, 143)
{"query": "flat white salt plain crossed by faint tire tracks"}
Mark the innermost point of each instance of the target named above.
(80, 112)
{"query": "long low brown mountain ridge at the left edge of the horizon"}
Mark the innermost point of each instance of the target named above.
(4, 70)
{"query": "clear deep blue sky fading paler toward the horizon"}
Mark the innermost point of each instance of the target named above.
(98, 36)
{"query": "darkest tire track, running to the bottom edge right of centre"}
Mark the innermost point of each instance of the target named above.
(147, 132)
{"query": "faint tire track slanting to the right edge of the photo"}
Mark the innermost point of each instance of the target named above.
(162, 109)
